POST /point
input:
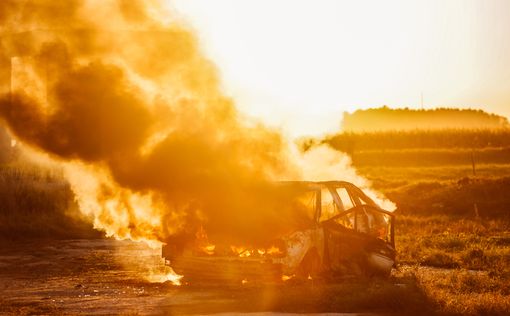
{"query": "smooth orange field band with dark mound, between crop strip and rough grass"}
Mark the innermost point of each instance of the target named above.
(451, 191)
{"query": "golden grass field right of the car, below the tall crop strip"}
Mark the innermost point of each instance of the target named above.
(457, 256)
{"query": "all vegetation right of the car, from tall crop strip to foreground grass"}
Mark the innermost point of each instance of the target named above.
(453, 211)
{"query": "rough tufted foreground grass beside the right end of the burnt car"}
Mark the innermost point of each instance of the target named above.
(462, 265)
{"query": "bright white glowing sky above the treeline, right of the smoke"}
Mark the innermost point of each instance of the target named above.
(299, 64)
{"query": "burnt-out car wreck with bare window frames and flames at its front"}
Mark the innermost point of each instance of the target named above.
(348, 235)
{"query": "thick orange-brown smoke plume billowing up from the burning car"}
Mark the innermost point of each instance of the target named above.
(120, 94)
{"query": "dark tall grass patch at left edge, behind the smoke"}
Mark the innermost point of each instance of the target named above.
(37, 202)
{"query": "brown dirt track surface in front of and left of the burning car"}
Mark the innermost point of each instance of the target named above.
(110, 277)
